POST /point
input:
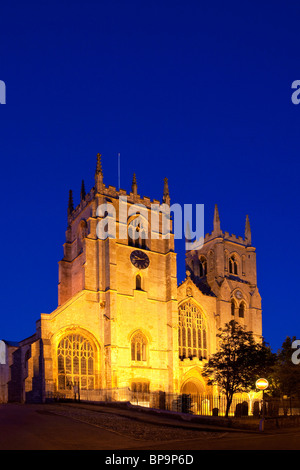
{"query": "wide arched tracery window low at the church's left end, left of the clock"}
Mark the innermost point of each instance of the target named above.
(76, 363)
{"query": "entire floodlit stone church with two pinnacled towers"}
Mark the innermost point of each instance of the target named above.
(122, 320)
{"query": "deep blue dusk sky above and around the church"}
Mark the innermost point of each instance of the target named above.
(196, 91)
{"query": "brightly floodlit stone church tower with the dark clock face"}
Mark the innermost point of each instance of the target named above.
(117, 294)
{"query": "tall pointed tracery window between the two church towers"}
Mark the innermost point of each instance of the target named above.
(192, 332)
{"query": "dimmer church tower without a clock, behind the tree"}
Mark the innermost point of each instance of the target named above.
(225, 267)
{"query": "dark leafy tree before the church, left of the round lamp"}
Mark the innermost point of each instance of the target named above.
(239, 361)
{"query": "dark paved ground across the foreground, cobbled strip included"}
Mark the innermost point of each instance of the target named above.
(112, 427)
